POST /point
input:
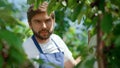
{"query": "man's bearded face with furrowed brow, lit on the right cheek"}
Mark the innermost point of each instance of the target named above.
(42, 25)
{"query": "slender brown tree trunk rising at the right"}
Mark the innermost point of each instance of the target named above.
(100, 46)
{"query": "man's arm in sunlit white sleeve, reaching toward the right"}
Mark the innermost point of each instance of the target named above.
(69, 61)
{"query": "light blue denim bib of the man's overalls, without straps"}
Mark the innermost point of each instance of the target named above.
(54, 58)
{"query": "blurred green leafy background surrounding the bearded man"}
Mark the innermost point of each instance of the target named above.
(90, 28)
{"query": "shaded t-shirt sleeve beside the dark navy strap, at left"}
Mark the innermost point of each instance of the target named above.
(30, 51)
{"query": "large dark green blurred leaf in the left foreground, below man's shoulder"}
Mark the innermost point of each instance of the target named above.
(15, 51)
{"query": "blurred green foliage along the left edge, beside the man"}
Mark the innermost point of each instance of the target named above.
(11, 38)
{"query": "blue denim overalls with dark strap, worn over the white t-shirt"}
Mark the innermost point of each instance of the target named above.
(56, 59)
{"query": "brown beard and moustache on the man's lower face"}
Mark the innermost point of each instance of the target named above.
(43, 34)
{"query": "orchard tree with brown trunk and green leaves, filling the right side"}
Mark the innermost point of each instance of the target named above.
(102, 17)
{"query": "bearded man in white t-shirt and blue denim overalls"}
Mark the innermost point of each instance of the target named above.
(44, 44)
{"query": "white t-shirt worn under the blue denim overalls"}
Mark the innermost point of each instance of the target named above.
(49, 47)
